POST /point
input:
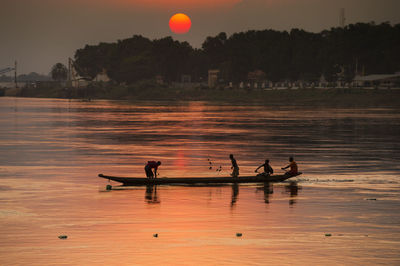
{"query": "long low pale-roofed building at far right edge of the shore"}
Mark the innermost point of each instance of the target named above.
(377, 80)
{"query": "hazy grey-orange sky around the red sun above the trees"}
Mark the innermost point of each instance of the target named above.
(40, 33)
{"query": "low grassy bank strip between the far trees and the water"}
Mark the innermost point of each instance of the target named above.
(300, 96)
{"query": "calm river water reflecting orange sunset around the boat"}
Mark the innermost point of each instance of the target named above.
(52, 151)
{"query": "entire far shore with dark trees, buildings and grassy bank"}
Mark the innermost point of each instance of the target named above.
(264, 66)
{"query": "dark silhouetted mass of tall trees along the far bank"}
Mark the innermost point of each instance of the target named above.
(279, 55)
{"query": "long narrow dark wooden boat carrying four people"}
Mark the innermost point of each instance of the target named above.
(134, 181)
